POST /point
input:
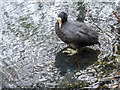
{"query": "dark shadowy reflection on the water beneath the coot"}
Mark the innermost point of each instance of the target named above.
(80, 61)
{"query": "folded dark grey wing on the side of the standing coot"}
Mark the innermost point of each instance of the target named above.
(81, 33)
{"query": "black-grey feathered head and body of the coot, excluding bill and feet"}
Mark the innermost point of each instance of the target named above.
(74, 33)
